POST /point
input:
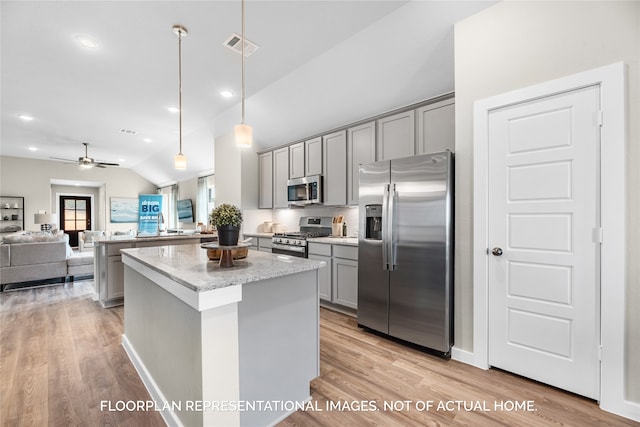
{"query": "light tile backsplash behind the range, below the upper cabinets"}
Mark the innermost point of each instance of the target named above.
(289, 218)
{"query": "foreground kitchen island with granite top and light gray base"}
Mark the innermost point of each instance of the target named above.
(222, 346)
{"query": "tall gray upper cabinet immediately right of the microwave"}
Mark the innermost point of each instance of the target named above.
(335, 168)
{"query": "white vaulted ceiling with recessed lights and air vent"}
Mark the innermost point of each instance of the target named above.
(320, 65)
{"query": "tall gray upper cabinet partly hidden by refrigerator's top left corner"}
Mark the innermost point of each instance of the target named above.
(361, 150)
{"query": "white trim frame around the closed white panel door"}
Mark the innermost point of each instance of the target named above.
(611, 79)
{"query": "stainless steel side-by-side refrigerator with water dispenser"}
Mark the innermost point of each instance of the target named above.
(405, 249)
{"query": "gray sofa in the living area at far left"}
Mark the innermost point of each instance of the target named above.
(25, 258)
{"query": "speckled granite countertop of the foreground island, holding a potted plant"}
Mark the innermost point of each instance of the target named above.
(189, 266)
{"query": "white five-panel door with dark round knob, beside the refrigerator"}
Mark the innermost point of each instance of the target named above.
(544, 217)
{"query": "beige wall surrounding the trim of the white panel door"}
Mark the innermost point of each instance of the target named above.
(516, 44)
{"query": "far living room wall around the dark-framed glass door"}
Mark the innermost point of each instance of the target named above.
(32, 180)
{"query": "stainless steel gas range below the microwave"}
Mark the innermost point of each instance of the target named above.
(295, 243)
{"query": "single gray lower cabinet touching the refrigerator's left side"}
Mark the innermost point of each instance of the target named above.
(344, 269)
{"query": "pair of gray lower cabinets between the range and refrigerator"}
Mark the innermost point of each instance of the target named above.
(339, 280)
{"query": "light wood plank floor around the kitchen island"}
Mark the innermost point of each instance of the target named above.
(60, 356)
